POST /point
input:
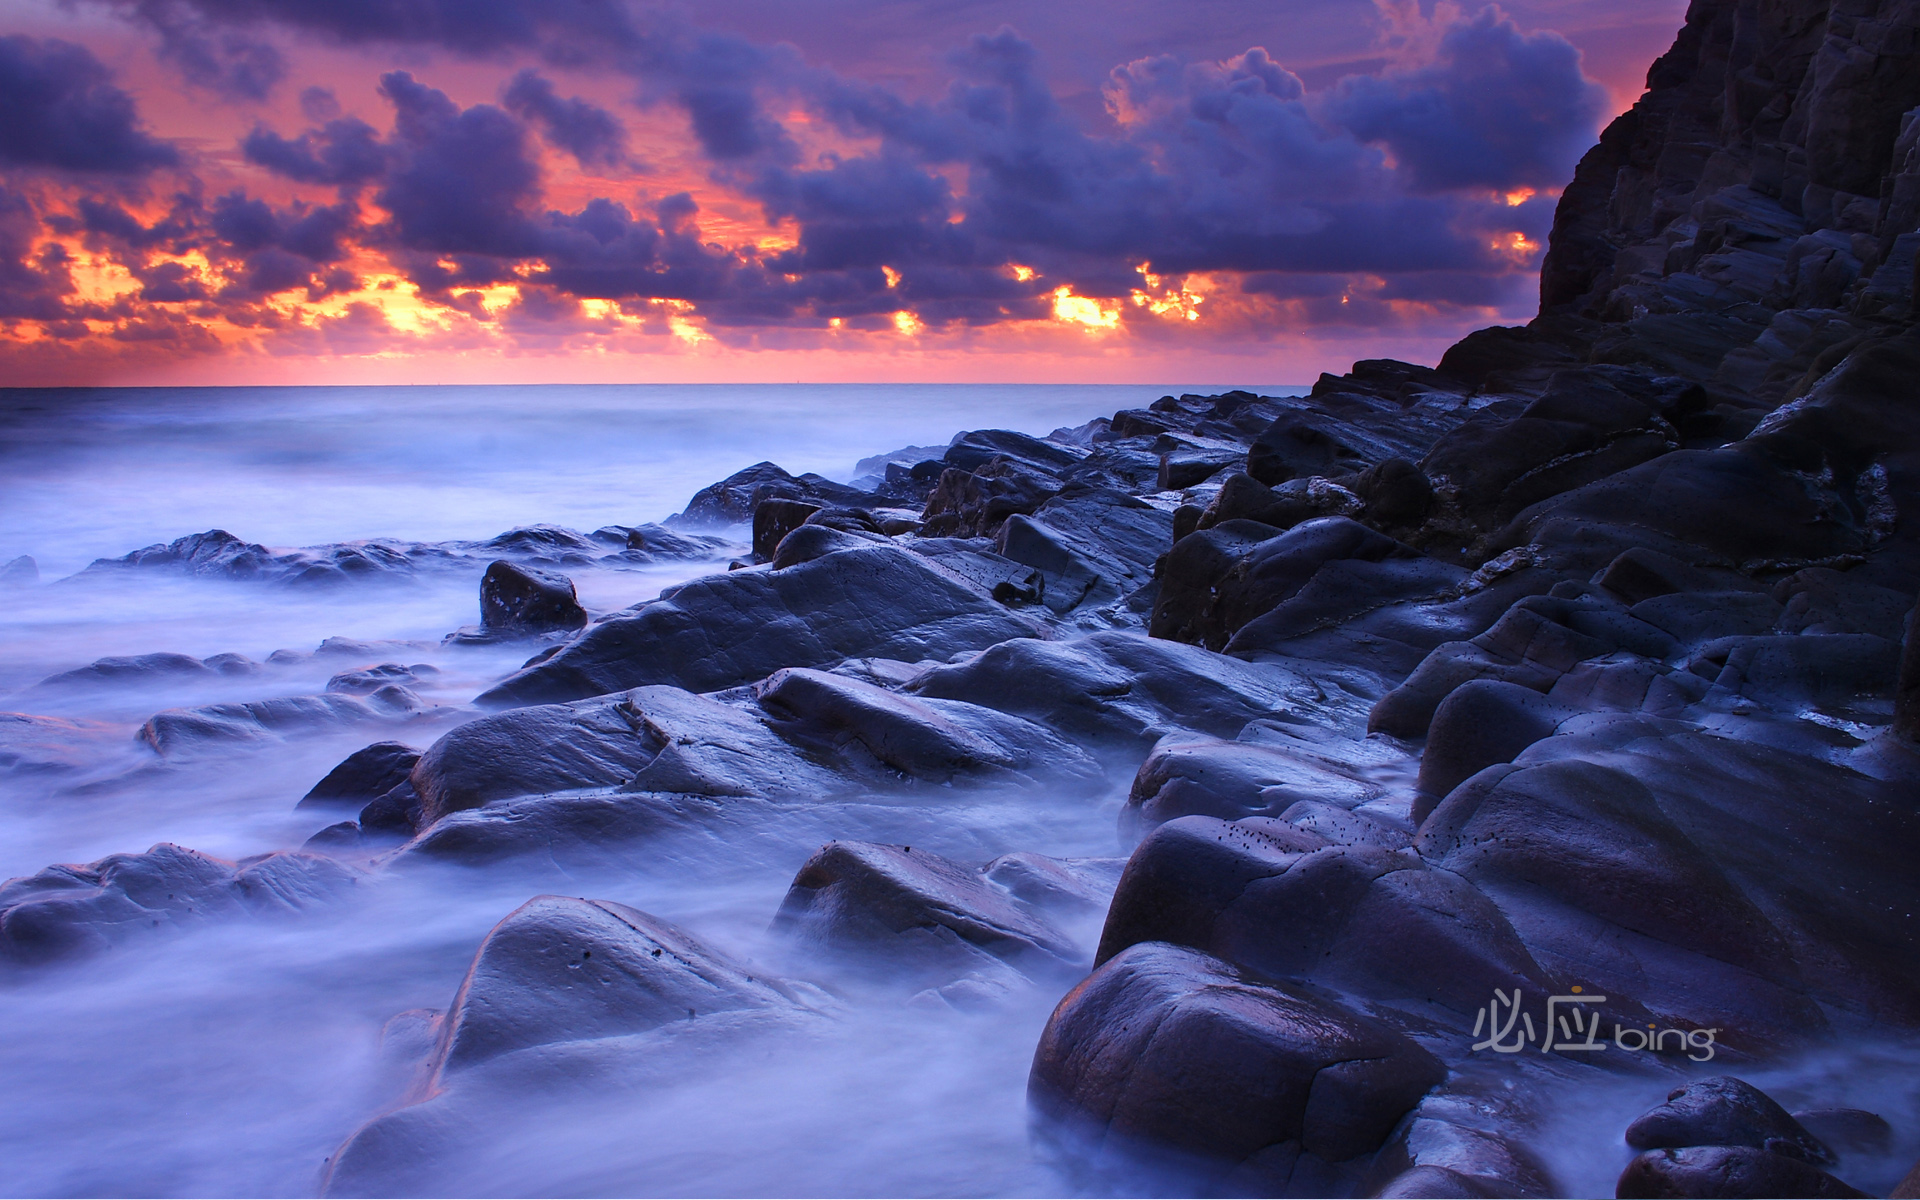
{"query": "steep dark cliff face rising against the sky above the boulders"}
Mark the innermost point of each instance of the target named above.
(1765, 191)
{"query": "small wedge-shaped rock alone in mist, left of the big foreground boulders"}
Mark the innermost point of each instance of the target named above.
(919, 915)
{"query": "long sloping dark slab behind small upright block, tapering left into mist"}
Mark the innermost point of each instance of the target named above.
(742, 627)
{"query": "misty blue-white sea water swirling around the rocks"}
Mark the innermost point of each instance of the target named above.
(233, 1057)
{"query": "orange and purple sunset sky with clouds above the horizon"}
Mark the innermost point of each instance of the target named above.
(590, 191)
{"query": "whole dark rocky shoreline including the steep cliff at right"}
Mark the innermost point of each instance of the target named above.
(1570, 681)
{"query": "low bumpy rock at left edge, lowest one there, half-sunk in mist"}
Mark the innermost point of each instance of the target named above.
(74, 911)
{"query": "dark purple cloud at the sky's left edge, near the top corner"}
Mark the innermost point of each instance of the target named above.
(64, 112)
